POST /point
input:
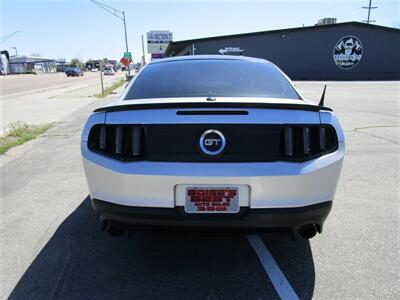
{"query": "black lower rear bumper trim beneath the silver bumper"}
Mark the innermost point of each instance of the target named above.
(247, 218)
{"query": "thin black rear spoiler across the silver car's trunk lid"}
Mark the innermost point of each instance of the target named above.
(224, 105)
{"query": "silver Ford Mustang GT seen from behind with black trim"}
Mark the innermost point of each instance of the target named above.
(213, 141)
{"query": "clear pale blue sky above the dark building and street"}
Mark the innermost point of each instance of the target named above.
(79, 28)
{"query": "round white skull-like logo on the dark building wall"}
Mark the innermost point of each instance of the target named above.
(348, 52)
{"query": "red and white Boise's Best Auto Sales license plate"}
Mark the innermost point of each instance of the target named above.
(220, 200)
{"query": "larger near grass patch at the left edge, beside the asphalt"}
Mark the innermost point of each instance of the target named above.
(19, 133)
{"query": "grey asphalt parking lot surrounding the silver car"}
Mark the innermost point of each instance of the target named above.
(52, 246)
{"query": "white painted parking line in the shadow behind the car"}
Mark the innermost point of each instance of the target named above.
(278, 279)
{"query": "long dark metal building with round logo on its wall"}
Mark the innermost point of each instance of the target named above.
(342, 51)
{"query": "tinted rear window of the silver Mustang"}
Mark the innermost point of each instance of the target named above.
(216, 78)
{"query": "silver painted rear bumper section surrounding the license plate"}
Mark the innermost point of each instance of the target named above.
(160, 185)
